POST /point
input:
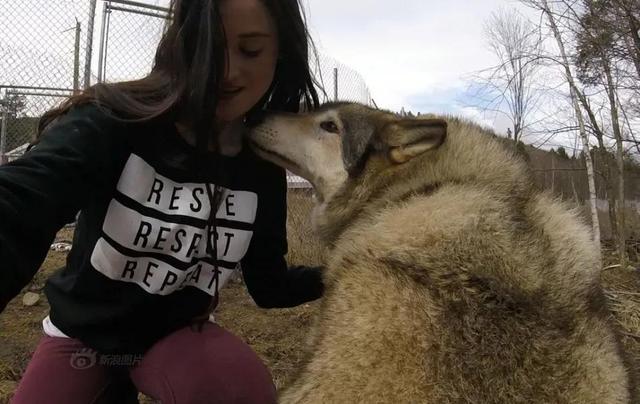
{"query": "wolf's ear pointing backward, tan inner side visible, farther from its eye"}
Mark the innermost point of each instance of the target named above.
(408, 138)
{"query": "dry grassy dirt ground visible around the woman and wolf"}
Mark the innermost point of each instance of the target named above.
(277, 335)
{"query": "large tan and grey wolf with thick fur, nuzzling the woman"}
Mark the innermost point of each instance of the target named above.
(450, 278)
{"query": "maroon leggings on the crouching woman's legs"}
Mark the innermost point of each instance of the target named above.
(212, 366)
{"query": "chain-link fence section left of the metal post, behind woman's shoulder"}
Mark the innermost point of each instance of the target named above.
(43, 59)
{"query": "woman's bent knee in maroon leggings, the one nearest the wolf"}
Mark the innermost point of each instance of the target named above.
(208, 366)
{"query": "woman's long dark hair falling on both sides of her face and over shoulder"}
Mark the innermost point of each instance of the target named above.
(189, 66)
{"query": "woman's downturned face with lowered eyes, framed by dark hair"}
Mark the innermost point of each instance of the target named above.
(252, 42)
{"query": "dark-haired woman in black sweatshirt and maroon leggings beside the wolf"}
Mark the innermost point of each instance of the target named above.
(144, 162)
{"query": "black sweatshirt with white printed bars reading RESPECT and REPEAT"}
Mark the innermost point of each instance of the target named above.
(138, 268)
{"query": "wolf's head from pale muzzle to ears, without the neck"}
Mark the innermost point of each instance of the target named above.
(343, 141)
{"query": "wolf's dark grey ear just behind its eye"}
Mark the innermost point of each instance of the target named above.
(356, 140)
